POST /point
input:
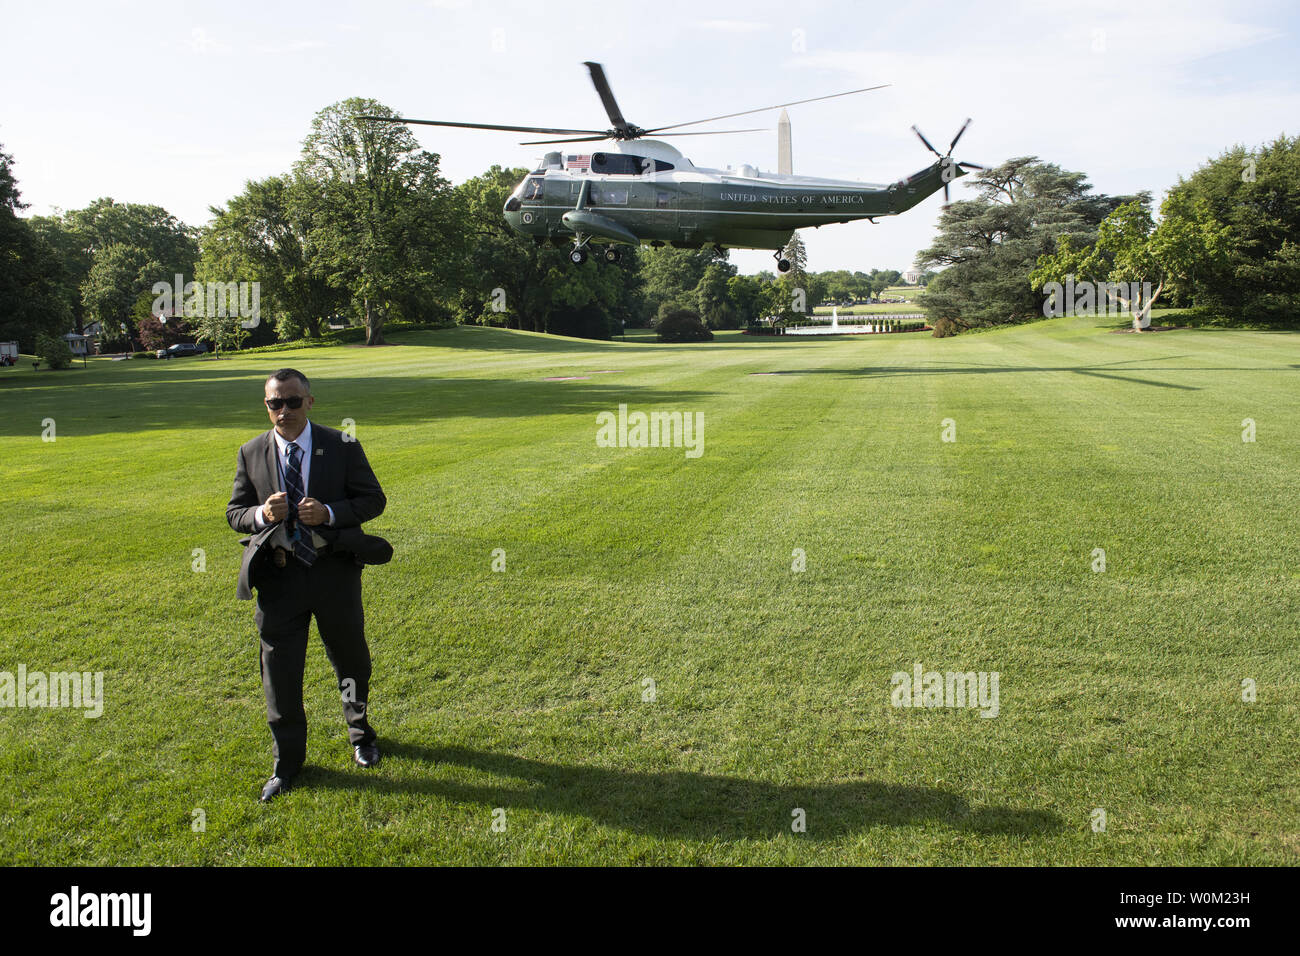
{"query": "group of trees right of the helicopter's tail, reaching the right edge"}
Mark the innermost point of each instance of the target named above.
(1227, 246)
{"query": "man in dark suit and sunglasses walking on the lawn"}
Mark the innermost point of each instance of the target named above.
(315, 485)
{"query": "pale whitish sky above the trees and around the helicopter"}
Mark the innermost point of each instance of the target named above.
(180, 103)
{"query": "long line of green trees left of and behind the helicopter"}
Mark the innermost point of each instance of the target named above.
(363, 231)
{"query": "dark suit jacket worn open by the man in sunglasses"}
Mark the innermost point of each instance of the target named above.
(340, 478)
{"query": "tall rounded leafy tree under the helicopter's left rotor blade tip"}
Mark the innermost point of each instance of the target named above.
(383, 223)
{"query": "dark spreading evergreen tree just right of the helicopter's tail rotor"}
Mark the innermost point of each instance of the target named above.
(990, 245)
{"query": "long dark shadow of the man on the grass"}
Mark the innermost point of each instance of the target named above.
(687, 806)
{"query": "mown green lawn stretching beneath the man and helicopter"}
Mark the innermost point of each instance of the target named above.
(523, 690)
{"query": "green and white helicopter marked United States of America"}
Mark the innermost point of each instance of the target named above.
(643, 191)
